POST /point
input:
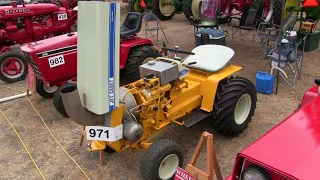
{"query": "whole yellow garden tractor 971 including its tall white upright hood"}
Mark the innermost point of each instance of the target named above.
(180, 91)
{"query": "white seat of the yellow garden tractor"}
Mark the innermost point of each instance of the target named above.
(209, 58)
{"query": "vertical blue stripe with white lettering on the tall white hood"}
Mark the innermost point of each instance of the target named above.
(112, 27)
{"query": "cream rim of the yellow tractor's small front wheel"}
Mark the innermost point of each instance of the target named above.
(168, 166)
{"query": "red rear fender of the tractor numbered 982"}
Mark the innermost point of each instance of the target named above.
(127, 46)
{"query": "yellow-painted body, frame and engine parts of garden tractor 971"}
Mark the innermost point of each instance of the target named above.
(159, 106)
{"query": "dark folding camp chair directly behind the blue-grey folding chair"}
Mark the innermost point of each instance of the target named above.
(276, 32)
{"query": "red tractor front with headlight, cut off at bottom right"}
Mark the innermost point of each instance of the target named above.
(291, 150)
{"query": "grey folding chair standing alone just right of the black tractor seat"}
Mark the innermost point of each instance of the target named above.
(150, 17)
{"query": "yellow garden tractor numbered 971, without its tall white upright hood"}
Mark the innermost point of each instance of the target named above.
(170, 91)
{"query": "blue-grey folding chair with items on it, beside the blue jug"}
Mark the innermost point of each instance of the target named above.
(287, 55)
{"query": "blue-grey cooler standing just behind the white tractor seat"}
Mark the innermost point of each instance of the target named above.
(210, 36)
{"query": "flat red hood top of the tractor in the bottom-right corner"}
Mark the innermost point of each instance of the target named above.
(292, 147)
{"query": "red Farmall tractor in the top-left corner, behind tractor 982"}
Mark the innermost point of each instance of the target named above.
(20, 24)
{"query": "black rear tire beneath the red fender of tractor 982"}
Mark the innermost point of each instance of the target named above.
(136, 58)
